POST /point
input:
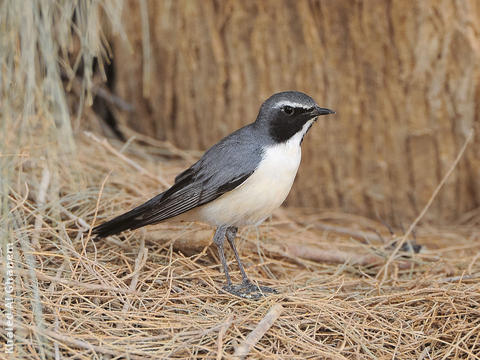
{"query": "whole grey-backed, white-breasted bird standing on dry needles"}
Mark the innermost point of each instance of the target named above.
(237, 182)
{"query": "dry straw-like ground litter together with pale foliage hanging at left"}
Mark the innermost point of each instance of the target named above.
(348, 288)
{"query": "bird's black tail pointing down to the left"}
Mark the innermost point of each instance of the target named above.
(131, 220)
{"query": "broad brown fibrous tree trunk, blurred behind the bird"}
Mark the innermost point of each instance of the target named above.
(403, 76)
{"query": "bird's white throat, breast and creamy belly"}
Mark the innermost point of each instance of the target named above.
(265, 190)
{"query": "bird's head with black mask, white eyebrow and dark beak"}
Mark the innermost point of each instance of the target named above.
(288, 113)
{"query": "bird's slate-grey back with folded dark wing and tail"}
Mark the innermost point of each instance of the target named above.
(221, 169)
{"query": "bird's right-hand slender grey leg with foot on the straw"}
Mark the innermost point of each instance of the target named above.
(246, 289)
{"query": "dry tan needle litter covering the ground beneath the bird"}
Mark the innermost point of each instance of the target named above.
(139, 295)
